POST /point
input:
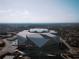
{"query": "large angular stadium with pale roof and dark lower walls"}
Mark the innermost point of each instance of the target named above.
(36, 42)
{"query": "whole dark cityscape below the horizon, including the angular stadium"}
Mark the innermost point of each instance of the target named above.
(56, 40)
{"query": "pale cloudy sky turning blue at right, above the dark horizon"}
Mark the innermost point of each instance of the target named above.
(39, 11)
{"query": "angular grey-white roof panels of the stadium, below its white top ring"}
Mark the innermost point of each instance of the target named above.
(37, 38)
